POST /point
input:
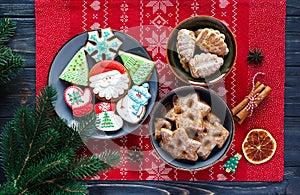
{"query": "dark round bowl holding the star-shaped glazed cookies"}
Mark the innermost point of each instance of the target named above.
(218, 107)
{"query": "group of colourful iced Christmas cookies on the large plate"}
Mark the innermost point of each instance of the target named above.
(119, 89)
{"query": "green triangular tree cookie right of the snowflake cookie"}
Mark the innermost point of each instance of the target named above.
(139, 67)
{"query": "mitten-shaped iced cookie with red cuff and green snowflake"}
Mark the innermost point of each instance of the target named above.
(79, 100)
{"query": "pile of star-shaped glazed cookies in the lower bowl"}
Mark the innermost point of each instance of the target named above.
(189, 130)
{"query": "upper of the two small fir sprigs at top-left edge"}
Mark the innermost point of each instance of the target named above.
(7, 30)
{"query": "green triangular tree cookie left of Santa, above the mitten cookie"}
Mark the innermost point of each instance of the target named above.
(76, 71)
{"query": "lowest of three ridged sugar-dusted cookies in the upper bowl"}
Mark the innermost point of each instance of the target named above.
(205, 64)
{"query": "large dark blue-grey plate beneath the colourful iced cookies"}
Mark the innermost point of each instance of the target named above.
(66, 53)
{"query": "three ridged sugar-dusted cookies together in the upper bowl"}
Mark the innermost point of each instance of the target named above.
(201, 52)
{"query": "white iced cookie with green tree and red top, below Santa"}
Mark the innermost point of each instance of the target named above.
(107, 120)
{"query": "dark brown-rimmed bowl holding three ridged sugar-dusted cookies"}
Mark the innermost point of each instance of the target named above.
(195, 23)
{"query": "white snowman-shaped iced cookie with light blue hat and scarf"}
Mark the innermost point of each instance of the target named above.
(132, 107)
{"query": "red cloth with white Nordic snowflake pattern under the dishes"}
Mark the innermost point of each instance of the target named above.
(258, 24)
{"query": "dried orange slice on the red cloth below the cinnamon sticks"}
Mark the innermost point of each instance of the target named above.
(259, 146)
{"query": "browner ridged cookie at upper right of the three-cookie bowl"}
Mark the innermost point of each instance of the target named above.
(210, 40)
